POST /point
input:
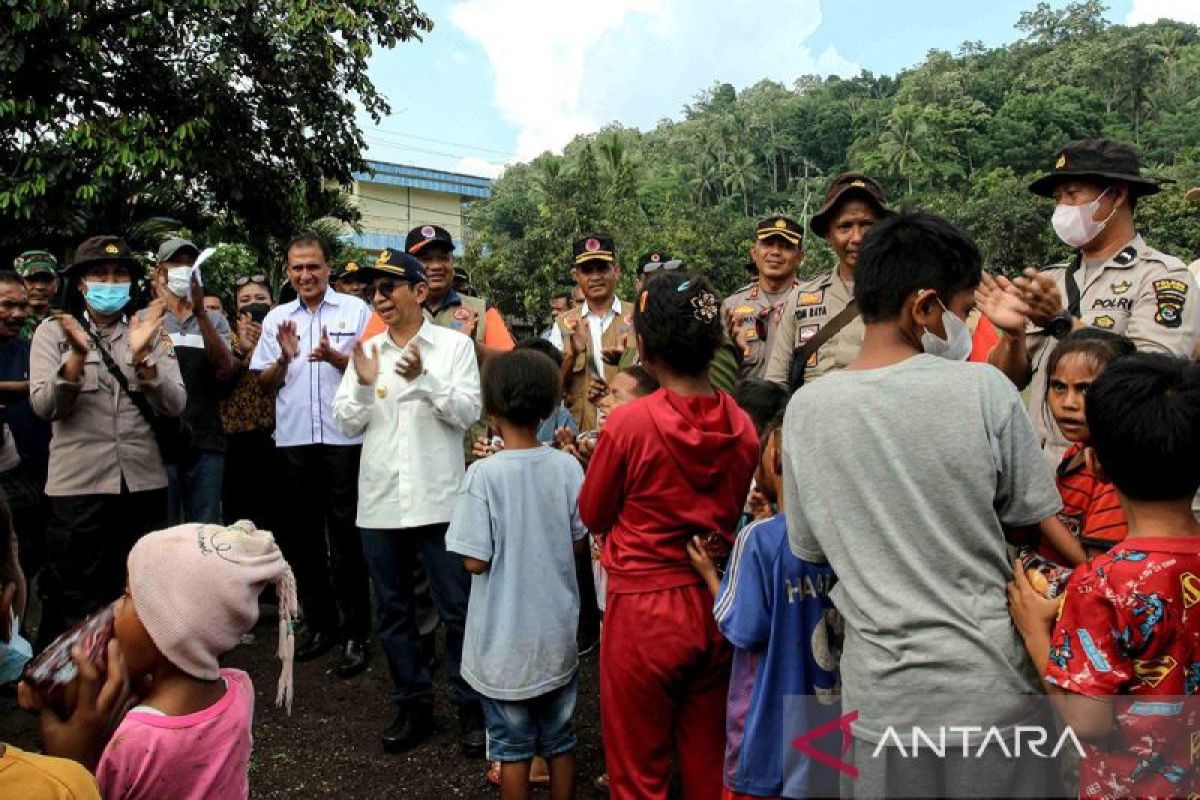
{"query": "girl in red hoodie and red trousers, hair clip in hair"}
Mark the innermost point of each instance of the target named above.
(669, 467)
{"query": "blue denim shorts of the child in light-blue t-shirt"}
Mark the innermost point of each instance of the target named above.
(542, 726)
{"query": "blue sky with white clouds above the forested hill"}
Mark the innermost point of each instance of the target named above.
(503, 81)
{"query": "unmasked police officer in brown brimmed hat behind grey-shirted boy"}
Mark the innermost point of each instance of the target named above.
(853, 204)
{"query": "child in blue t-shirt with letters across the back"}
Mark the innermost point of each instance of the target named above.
(775, 609)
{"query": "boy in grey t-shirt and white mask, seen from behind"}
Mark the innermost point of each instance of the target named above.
(903, 473)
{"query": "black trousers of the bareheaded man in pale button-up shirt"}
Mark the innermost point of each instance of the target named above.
(321, 540)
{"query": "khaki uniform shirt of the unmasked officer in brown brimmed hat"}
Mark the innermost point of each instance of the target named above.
(811, 308)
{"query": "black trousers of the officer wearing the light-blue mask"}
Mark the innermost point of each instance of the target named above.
(88, 542)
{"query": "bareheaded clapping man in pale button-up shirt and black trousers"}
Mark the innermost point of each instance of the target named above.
(302, 356)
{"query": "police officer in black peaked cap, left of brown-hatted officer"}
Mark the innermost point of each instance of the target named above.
(753, 314)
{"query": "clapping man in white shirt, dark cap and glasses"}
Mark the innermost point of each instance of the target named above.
(412, 393)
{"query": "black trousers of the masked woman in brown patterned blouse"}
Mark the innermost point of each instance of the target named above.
(253, 486)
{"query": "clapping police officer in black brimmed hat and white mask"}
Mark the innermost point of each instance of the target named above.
(1115, 281)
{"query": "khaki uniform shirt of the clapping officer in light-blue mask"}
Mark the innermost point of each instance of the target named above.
(99, 435)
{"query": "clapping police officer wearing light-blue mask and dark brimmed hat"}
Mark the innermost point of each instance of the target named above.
(101, 378)
